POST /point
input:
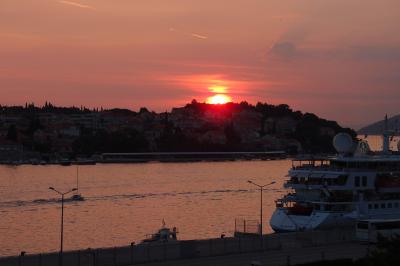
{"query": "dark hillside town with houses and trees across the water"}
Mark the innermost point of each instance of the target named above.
(46, 133)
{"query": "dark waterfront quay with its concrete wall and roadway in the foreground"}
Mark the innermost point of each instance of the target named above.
(274, 249)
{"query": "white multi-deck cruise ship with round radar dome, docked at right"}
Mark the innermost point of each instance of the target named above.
(330, 192)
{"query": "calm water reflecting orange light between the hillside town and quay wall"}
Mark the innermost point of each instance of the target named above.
(125, 202)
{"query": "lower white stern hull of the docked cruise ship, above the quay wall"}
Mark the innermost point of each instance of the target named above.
(281, 221)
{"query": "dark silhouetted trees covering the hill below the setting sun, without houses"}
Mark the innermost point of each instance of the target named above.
(169, 137)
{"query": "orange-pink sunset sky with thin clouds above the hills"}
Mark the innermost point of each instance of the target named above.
(337, 58)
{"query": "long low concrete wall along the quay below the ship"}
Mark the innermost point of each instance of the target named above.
(152, 252)
